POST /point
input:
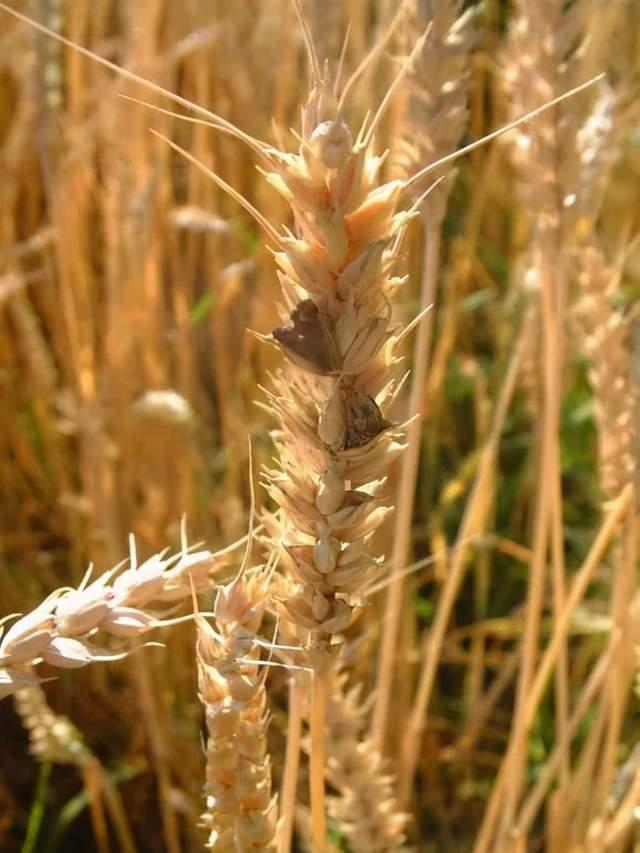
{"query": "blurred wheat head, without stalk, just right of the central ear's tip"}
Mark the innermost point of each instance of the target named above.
(436, 93)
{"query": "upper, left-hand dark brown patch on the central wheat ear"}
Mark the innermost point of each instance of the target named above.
(309, 341)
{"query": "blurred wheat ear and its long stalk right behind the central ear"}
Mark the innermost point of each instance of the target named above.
(430, 126)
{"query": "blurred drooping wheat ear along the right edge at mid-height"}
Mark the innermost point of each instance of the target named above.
(605, 342)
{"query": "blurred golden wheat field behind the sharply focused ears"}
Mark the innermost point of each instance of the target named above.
(494, 675)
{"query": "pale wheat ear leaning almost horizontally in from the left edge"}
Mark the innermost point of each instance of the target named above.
(60, 630)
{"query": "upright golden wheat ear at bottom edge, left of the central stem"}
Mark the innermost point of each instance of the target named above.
(240, 810)
